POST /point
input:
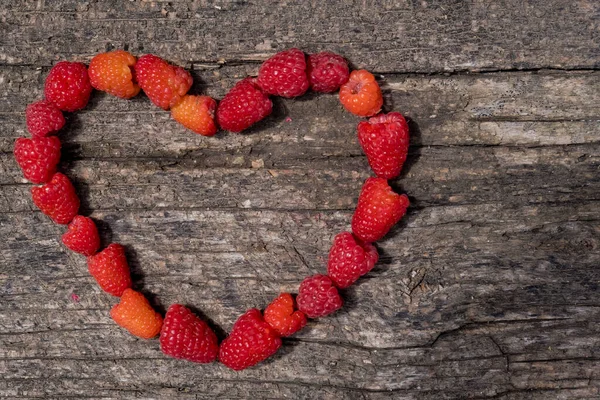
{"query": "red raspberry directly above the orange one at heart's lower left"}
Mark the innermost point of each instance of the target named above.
(110, 269)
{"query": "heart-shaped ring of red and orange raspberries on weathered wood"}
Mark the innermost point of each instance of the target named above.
(255, 336)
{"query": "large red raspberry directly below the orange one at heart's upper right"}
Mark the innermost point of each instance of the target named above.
(384, 139)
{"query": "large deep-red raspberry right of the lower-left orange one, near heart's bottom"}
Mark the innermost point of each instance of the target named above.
(186, 336)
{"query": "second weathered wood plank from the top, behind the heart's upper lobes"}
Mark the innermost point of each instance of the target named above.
(516, 109)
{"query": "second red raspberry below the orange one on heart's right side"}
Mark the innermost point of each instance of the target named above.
(378, 209)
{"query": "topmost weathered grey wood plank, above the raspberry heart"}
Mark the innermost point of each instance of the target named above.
(383, 36)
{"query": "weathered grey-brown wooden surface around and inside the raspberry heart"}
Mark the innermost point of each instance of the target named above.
(488, 289)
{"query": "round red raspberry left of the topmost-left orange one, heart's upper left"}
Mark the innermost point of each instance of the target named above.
(68, 86)
